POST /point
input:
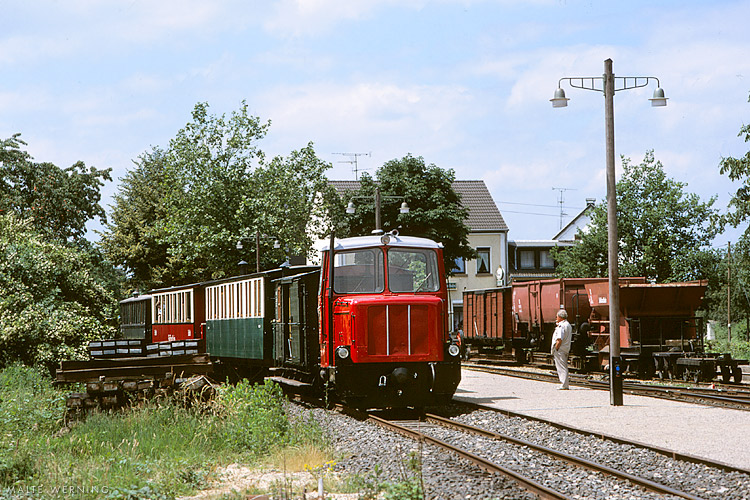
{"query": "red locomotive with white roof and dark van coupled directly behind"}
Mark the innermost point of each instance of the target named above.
(382, 325)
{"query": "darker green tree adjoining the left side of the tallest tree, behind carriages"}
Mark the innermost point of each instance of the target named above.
(134, 236)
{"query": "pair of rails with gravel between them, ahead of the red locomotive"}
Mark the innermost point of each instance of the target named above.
(544, 471)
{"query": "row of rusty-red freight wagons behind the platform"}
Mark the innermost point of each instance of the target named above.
(660, 334)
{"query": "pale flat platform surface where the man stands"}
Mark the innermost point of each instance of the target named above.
(717, 434)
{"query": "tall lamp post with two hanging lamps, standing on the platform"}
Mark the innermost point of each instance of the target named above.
(609, 87)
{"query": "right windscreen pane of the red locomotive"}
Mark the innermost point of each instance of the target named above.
(412, 271)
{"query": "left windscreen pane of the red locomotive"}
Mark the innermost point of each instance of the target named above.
(359, 271)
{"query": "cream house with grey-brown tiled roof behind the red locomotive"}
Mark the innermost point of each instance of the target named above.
(488, 235)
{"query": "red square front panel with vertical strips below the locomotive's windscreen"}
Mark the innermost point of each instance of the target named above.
(397, 329)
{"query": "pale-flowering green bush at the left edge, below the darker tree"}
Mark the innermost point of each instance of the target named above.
(55, 298)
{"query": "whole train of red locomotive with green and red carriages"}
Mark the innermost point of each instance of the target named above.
(369, 327)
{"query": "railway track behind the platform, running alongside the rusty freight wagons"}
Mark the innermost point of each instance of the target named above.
(727, 396)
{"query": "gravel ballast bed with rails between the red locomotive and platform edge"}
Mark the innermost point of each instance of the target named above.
(546, 459)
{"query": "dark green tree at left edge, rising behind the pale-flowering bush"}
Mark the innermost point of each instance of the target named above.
(58, 201)
